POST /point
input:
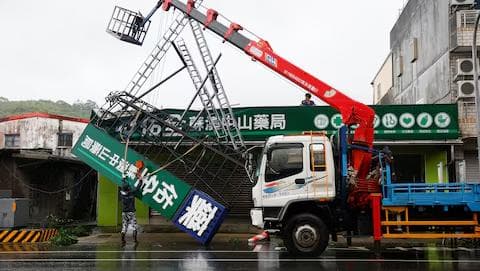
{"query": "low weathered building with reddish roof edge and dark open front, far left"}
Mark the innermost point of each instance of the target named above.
(36, 163)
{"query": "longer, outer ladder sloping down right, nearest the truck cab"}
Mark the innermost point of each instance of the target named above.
(228, 120)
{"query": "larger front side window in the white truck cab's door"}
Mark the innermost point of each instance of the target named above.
(284, 160)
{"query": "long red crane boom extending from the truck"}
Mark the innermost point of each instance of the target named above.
(353, 112)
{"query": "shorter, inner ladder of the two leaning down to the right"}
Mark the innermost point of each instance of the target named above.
(214, 118)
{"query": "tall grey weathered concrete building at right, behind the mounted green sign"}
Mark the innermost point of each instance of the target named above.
(432, 64)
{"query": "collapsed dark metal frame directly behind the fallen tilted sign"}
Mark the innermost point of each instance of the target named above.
(214, 168)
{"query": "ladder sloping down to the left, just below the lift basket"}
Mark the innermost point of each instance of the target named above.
(158, 52)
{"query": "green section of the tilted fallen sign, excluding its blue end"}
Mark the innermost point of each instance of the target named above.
(161, 191)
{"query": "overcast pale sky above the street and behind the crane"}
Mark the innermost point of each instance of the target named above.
(58, 49)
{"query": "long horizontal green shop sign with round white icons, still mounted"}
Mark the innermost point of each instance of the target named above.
(392, 122)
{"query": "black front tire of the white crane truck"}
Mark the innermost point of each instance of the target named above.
(306, 235)
